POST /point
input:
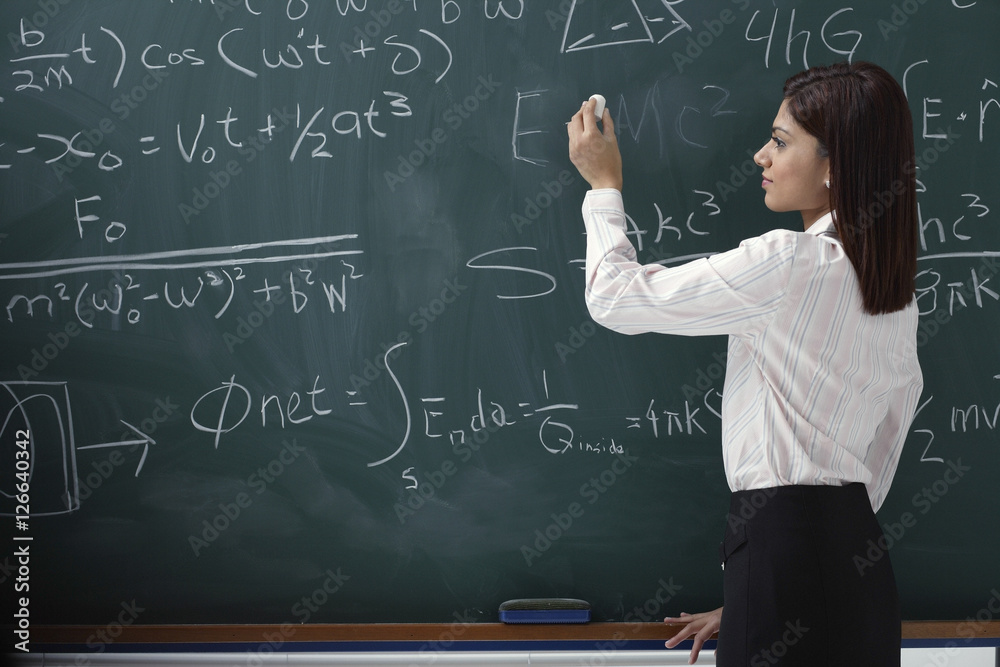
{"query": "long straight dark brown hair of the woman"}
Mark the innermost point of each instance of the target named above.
(860, 116)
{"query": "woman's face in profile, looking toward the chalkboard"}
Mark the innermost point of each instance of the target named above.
(794, 174)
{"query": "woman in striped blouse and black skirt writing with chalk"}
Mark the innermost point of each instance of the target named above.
(822, 376)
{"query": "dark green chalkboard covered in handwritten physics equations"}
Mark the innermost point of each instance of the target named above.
(293, 304)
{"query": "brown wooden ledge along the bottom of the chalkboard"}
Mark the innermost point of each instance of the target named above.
(959, 632)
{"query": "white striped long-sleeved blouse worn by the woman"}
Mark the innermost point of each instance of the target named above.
(817, 391)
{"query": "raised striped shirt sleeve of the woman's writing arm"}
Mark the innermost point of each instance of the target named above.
(730, 293)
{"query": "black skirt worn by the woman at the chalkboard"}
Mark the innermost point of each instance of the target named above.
(807, 581)
